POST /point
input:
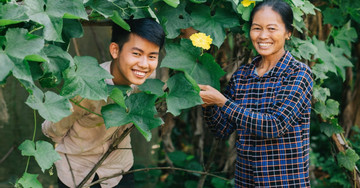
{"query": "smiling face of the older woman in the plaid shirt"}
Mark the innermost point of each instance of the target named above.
(268, 33)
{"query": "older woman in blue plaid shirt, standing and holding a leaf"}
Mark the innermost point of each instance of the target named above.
(268, 104)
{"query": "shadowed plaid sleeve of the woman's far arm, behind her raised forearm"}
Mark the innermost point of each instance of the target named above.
(215, 117)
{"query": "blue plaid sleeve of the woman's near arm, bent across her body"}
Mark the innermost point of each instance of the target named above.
(294, 96)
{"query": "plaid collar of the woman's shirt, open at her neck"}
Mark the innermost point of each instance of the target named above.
(276, 71)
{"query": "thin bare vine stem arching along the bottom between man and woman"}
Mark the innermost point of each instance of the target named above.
(156, 168)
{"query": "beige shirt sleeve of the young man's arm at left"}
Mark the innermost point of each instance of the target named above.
(56, 131)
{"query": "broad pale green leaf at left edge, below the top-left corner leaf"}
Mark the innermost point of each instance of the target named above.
(20, 44)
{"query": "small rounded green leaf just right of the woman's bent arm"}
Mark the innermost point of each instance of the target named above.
(331, 108)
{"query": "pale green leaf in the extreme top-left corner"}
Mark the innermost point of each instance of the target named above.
(12, 13)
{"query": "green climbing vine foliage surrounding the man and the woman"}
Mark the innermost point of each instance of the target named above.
(35, 36)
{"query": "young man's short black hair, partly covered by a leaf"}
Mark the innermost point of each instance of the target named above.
(145, 27)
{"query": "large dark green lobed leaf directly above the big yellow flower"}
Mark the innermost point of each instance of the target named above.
(214, 24)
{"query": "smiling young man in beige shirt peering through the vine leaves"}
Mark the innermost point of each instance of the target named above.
(82, 138)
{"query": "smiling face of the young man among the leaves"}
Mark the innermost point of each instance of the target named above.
(135, 62)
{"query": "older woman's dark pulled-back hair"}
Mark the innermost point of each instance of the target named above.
(279, 6)
